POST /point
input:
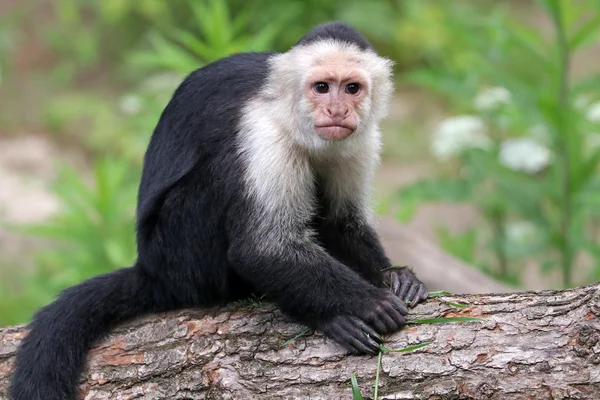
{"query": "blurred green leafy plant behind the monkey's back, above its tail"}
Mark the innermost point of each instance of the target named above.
(93, 234)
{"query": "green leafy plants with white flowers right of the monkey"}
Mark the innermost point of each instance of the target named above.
(523, 153)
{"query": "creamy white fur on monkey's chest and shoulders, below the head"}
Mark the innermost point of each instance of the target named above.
(280, 175)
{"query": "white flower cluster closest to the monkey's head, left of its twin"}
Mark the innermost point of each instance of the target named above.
(457, 134)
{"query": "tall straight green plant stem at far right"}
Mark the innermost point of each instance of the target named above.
(563, 103)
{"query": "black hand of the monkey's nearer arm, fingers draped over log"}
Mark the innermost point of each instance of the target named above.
(361, 334)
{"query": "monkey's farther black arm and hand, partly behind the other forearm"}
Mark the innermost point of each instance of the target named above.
(357, 245)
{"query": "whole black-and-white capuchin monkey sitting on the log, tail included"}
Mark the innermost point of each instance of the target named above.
(256, 180)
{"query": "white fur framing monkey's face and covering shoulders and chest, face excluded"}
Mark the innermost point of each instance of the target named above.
(282, 155)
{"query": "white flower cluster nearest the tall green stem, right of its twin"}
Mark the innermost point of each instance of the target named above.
(524, 154)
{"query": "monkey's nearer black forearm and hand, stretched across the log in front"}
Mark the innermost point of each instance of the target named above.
(313, 287)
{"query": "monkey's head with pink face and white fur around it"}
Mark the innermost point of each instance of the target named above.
(336, 89)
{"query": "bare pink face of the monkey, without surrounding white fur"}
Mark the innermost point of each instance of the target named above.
(335, 90)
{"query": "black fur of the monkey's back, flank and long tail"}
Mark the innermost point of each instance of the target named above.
(191, 176)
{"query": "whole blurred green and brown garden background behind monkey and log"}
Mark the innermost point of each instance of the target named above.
(492, 146)
